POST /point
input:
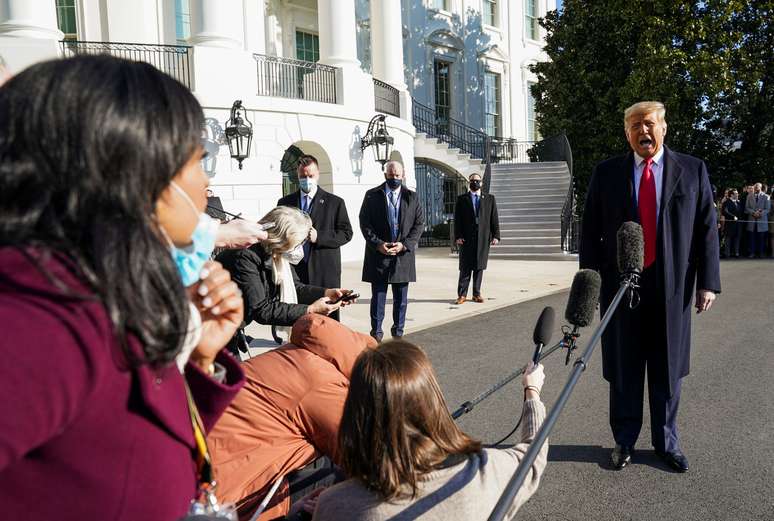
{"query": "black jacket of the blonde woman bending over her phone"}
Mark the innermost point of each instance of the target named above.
(251, 269)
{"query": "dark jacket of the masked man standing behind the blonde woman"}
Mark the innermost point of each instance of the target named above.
(330, 219)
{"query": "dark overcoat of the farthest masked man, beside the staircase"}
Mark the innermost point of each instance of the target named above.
(474, 252)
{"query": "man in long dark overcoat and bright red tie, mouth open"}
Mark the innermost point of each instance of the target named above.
(669, 194)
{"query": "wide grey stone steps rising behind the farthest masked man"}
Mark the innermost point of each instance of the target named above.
(530, 197)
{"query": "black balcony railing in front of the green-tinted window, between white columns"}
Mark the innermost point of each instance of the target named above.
(295, 79)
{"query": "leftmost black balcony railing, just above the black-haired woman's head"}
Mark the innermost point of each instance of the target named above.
(174, 60)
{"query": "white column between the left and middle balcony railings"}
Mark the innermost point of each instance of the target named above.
(217, 23)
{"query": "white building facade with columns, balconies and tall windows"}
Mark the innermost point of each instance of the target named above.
(312, 74)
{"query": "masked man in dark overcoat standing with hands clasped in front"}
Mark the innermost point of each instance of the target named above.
(392, 220)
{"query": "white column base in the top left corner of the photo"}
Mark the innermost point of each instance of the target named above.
(29, 19)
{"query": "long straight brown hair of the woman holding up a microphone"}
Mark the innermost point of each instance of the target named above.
(396, 426)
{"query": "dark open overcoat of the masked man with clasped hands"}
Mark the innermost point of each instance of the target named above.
(375, 226)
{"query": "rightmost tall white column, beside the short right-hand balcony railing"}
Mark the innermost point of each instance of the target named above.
(387, 42)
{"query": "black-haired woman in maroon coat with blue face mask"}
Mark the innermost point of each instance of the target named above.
(100, 186)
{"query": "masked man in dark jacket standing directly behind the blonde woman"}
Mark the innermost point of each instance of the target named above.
(331, 229)
